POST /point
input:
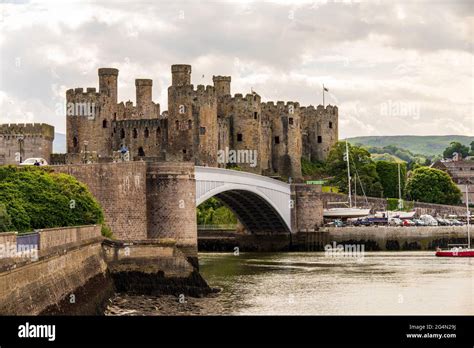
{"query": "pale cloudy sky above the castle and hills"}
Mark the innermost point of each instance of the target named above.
(392, 67)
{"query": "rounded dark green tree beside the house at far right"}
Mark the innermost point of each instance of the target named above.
(432, 186)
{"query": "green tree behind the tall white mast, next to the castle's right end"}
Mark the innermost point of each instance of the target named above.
(361, 166)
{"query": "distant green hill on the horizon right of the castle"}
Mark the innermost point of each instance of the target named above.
(430, 145)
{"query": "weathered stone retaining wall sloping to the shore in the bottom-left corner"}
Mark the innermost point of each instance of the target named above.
(75, 278)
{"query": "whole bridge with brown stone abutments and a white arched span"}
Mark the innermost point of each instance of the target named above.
(149, 200)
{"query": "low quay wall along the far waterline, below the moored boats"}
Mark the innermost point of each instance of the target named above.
(381, 238)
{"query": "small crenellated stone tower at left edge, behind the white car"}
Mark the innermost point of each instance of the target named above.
(33, 139)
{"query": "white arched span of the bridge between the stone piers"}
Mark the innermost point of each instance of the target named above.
(262, 204)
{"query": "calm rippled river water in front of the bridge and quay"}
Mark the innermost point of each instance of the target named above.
(311, 283)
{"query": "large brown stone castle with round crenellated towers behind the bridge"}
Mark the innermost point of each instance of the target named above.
(200, 123)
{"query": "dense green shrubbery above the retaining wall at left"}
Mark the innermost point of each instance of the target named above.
(36, 198)
